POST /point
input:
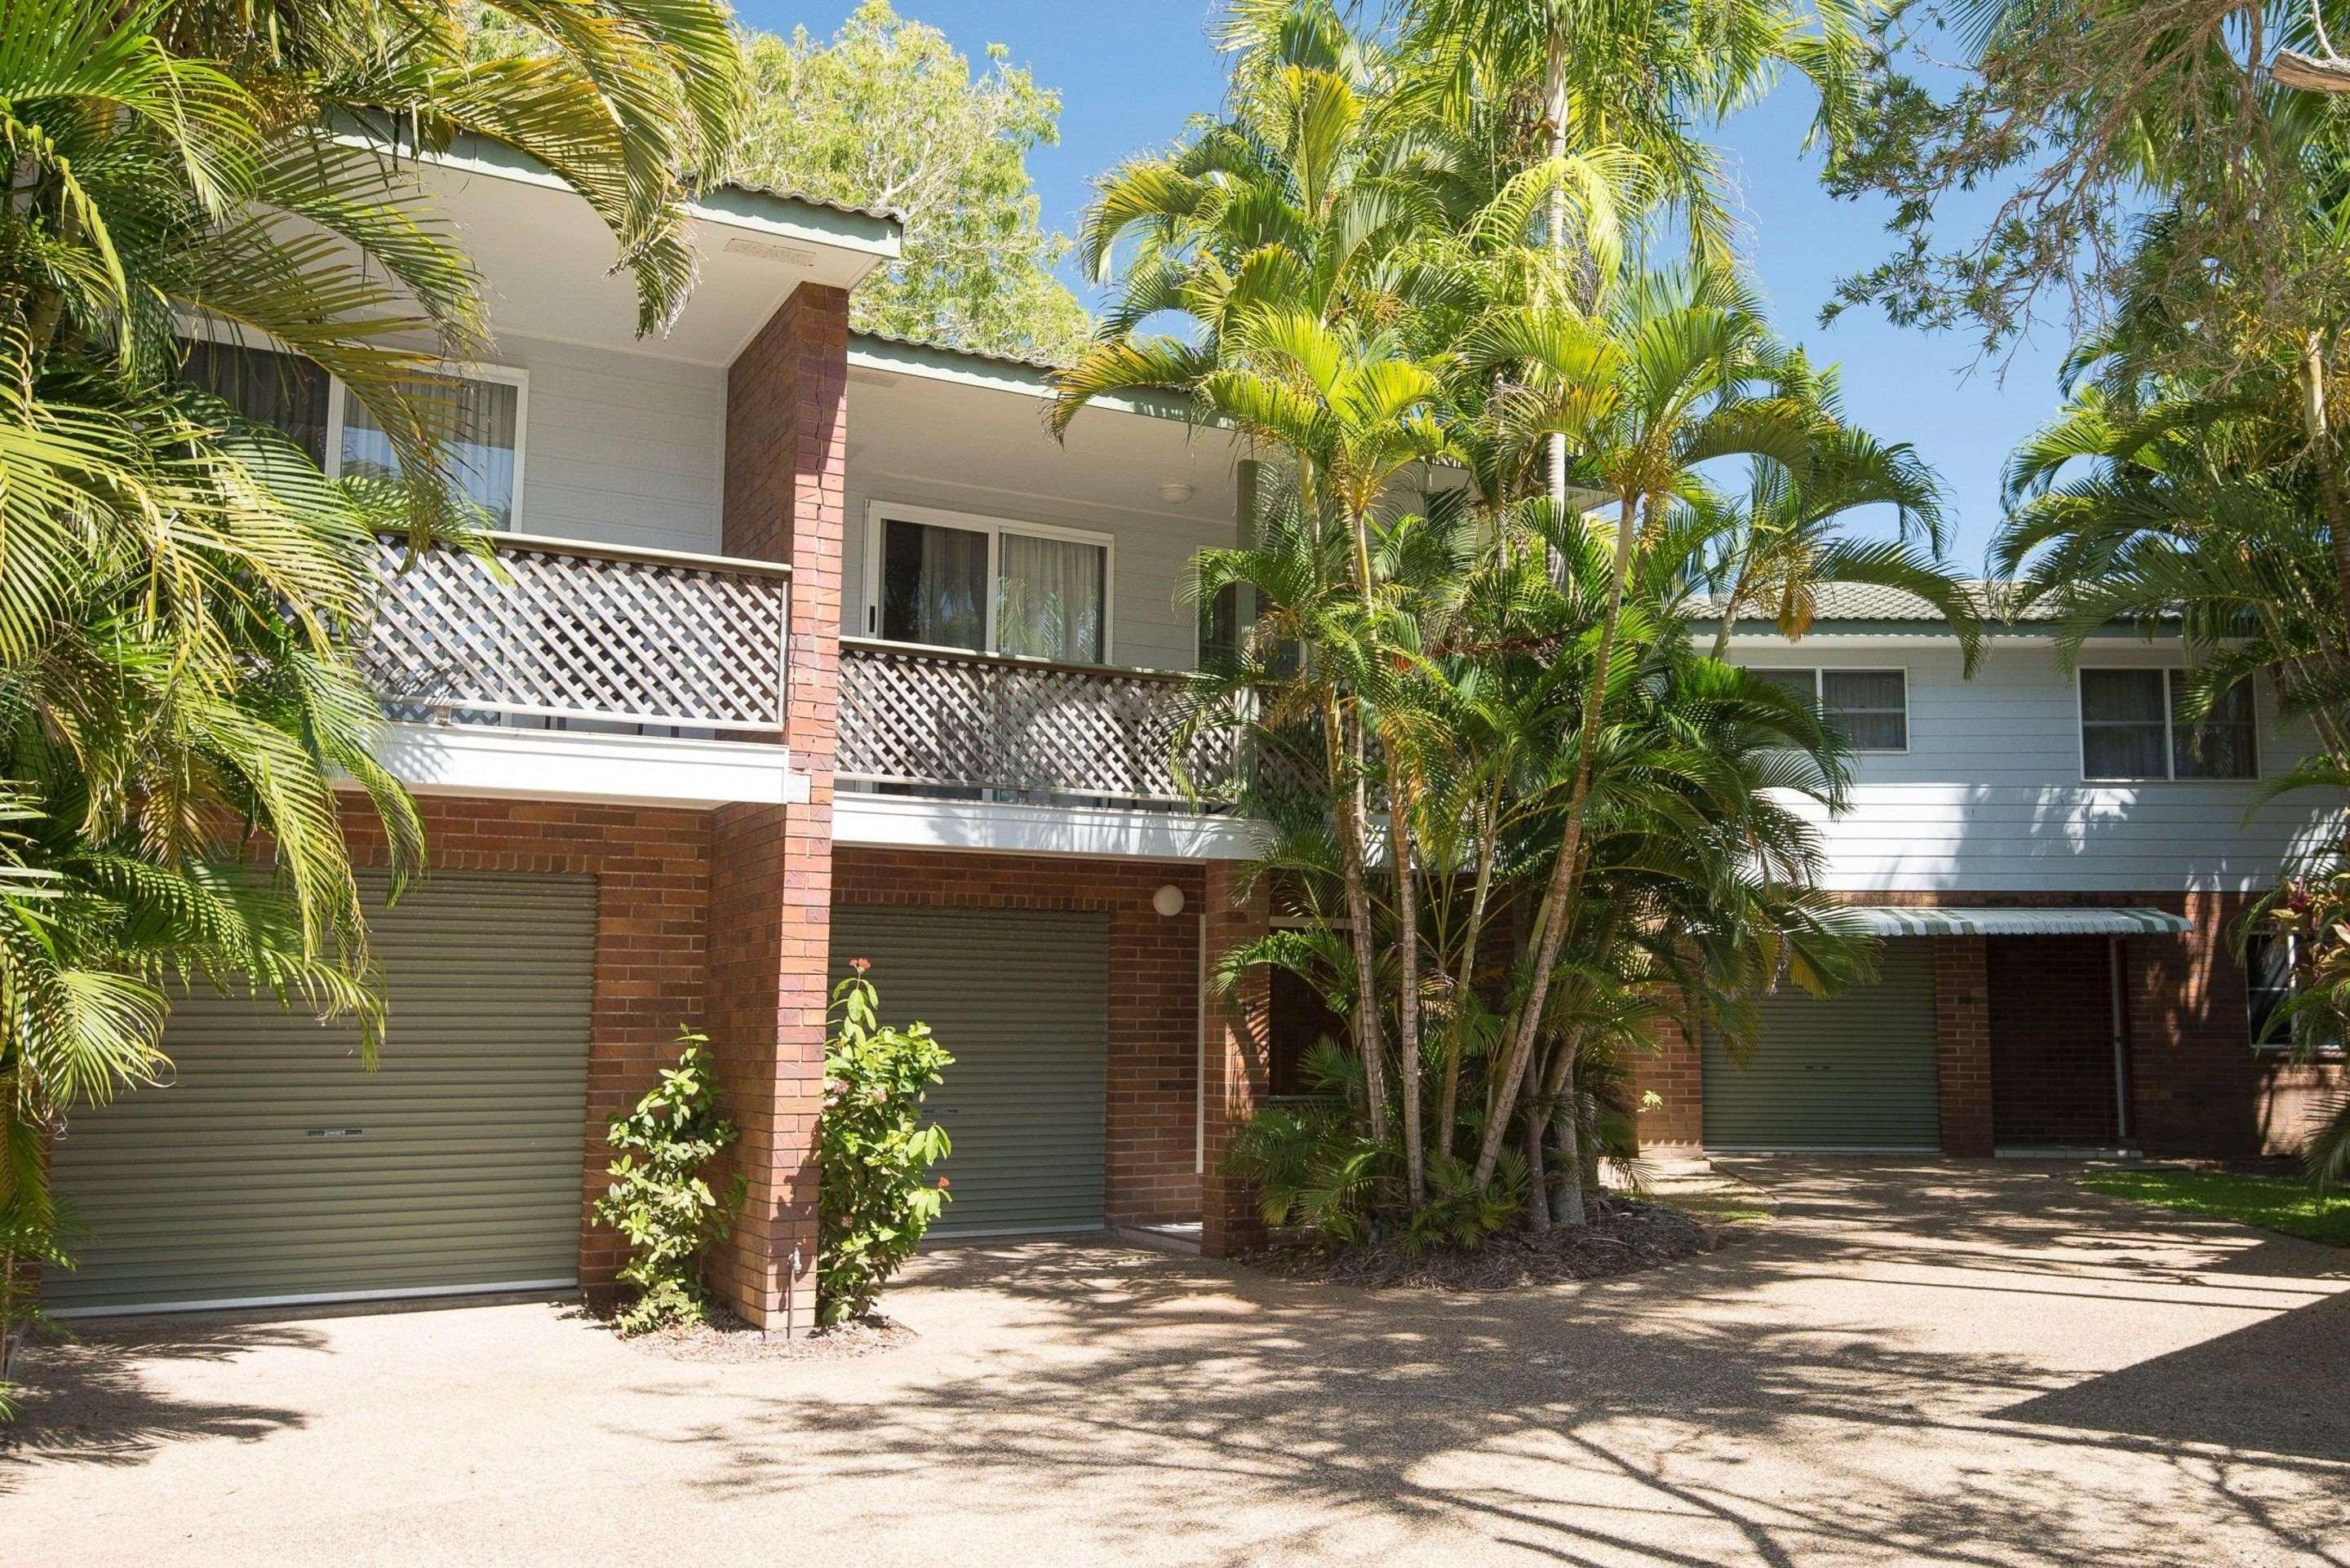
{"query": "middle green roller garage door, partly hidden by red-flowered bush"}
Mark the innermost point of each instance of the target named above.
(1021, 1000)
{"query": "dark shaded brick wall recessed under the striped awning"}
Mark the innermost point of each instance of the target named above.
(2053, 1043)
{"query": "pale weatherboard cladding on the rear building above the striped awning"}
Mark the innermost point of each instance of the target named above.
(1992, 793)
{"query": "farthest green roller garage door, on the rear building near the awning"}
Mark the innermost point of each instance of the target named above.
(1834, 1073)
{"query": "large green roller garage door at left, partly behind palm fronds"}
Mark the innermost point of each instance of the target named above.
(276, 1167)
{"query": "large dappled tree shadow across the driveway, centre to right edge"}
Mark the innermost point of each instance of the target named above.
(1677, 1419)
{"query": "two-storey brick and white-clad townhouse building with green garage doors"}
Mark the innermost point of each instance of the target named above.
(814, 645)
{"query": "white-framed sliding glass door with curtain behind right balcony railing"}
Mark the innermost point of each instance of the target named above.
(993, 589)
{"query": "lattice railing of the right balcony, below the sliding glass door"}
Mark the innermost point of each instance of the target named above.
(1016, 728)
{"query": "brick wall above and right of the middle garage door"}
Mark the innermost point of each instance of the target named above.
(1153, 1113)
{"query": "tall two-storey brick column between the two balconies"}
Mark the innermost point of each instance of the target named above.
(772, 866)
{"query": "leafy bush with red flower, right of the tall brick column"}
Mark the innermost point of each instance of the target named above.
(875, 1193)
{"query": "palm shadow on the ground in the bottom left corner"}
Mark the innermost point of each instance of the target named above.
(95, 1400)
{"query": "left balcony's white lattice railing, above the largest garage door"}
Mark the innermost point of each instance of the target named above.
(579, 631)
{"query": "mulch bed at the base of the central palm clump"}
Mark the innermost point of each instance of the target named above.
(1625, 1238)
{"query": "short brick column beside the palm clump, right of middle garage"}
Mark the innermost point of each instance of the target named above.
(1235, 1061)
